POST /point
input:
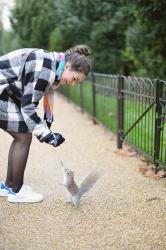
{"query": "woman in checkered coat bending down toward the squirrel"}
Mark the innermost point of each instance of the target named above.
(26, 75)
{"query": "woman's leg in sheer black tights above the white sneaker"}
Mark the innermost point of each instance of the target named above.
(17, 159)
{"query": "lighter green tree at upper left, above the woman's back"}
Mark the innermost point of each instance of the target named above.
(33, 21)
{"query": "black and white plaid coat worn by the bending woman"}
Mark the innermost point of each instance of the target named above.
(28, 75)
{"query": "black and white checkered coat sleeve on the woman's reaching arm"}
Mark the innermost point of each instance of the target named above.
(37, 80)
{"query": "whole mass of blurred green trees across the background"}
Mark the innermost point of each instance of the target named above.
(126, 37)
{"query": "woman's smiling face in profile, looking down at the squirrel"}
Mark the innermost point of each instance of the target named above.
(70, 77)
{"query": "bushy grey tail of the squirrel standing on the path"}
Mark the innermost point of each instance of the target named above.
(90, 180)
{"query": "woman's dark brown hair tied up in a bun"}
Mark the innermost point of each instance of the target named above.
(79, 57)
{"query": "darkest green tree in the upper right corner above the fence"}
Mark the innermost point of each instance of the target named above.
(147, 37)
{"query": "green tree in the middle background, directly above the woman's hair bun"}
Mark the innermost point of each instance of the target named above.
(100, 24)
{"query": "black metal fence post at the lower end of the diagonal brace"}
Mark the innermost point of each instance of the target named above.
(120, 112)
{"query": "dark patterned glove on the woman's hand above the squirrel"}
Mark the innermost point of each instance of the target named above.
(54, 139)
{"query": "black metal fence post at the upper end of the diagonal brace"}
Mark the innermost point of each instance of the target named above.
(158, 127)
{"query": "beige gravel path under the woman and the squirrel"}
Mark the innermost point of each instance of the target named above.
(124, 211)
